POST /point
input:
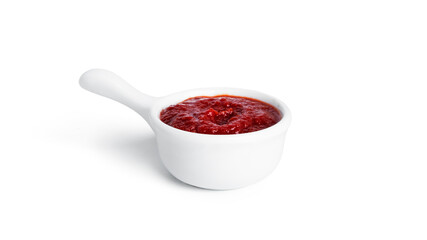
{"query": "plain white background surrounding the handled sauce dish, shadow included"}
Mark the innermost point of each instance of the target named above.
(74, 165)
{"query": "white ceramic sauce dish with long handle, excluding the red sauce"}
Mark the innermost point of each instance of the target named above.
(217, 162)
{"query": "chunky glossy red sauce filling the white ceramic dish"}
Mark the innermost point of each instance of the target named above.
(223, 114)
